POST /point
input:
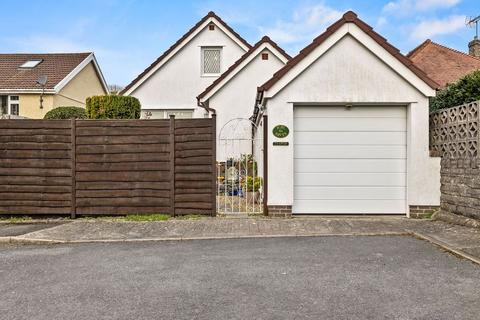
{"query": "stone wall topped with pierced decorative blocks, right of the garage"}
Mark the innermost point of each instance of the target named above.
(454, 136)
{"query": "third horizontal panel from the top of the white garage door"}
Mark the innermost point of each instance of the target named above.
(350, 138)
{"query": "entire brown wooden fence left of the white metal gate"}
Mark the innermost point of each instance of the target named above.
(112, 167)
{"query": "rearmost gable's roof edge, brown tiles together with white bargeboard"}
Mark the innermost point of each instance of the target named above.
(211, 16)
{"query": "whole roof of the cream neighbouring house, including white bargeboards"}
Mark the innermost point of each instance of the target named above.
(60, 68)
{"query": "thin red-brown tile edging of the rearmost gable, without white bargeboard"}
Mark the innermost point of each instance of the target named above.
(211, 14)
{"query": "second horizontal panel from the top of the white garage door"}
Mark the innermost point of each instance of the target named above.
(349, 124)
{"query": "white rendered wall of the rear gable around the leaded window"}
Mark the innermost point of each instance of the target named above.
(178, 82)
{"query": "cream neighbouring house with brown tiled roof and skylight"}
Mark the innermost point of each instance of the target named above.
(33, 84)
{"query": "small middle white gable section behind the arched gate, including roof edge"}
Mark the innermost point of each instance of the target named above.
(231, 95)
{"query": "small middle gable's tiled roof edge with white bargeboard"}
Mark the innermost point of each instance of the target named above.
(238, 65)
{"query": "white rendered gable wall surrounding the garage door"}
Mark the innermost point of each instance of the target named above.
(350, 73)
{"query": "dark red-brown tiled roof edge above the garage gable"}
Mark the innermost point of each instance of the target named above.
(349, 17)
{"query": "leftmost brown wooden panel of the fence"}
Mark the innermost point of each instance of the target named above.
(35, 167)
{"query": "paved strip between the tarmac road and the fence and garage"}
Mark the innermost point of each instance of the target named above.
(453, 237)
